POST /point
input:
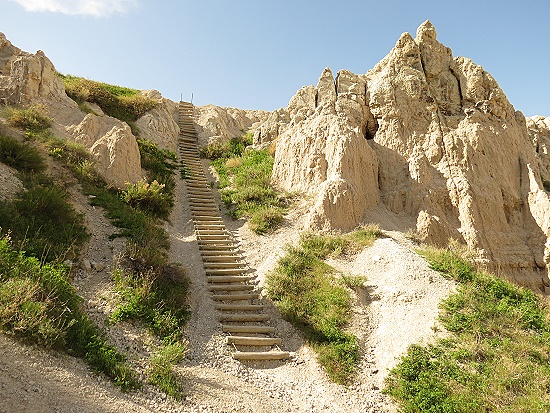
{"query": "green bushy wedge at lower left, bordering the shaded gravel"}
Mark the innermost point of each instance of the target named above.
(39, 305)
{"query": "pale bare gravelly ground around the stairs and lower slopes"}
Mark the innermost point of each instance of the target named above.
(398, 307)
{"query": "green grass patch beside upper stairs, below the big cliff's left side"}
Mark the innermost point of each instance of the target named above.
(245, 183)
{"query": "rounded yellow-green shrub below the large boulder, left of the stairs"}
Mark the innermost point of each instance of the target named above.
(149, 198)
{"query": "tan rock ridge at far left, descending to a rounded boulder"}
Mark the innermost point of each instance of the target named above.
(29, 79)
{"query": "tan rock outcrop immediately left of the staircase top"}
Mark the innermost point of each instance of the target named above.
(160, 124)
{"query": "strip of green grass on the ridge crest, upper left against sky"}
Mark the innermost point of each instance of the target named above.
(122, 103)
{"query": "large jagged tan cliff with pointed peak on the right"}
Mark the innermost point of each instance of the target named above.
(426, 136)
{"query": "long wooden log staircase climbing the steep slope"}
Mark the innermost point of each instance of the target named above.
(231, 281)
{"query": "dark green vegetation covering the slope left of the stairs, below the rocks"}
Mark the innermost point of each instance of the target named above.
(40, 305)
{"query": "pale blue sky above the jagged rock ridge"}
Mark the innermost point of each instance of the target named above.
(255, 54)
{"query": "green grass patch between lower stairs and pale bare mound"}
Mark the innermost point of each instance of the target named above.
(309, 293)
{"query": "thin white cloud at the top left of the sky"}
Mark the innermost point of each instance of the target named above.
(95, 8)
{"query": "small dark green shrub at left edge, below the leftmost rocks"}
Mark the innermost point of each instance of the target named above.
(21, 156)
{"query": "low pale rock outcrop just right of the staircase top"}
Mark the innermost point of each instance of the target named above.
(215, 123)
